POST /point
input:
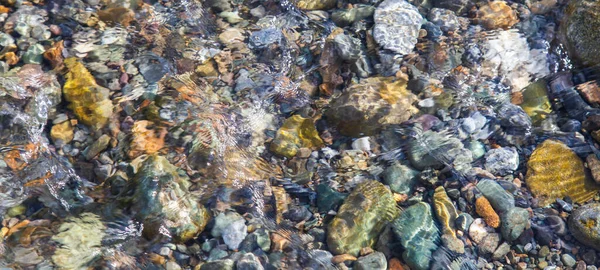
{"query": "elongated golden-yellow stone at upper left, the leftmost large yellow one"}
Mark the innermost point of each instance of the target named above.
(89, 101)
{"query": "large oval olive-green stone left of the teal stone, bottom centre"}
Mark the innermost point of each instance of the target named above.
(361, 218)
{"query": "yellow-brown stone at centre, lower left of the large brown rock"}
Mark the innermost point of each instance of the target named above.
(295, 133)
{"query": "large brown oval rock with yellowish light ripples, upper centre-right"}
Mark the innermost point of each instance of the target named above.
(366, 107)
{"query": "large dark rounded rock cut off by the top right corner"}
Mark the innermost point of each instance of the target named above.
(579, 29)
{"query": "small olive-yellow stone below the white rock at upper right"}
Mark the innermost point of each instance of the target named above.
(535, 101)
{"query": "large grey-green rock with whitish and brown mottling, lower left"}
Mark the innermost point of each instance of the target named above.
(160, 198)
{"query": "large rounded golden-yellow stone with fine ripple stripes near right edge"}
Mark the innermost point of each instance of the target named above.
(555, 171)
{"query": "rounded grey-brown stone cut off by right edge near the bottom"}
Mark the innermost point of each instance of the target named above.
(584, 224)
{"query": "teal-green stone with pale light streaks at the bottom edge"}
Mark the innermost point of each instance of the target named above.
(418, 235)
